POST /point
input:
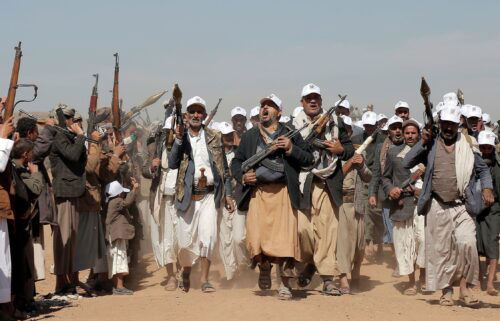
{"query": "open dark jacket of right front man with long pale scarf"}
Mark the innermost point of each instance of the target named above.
(426, 155)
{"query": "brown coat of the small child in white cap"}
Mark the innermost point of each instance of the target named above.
(118, 219)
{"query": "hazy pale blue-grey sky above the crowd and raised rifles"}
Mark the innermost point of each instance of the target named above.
(373, 51)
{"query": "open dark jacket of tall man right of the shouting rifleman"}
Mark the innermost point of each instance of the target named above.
(335, 181)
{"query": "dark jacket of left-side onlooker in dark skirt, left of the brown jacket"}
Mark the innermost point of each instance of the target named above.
(68, 157)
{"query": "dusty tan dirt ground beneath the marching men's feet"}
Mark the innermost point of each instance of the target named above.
(379, 299)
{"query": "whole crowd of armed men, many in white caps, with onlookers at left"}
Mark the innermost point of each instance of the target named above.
(318, 199)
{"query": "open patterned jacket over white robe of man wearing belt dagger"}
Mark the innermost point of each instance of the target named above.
(181, 157)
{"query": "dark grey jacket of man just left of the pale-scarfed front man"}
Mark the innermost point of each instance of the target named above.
(394, 175)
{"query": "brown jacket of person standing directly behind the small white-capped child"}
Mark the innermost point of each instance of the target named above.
(100, 170)
